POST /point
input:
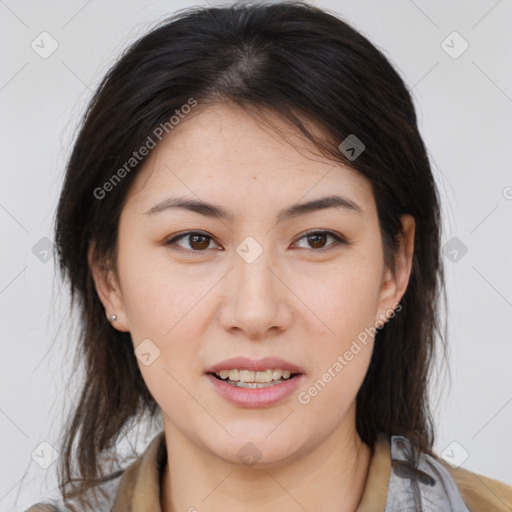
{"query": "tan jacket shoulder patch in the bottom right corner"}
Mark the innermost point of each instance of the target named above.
(481, 493)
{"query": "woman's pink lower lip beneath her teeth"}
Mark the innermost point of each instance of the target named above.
(257, 397)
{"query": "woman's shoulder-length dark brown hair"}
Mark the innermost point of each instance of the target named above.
(307, 66)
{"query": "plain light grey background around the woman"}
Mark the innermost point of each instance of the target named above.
(464, 107)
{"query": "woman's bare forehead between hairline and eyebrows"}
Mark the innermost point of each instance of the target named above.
(223, 151)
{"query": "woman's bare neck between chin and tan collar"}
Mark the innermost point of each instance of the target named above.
(330, 477)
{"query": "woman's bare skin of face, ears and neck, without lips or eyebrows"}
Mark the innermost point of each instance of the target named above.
(294, 301)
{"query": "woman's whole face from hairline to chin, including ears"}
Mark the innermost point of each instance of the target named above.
(251, 284)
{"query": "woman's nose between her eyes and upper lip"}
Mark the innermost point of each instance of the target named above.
(257, 300)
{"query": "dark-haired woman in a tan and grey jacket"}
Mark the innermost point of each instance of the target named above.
(251, 229)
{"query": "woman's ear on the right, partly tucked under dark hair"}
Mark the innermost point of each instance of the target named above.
(394, 284)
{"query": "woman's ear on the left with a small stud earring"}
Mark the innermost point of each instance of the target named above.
(108, 290)
